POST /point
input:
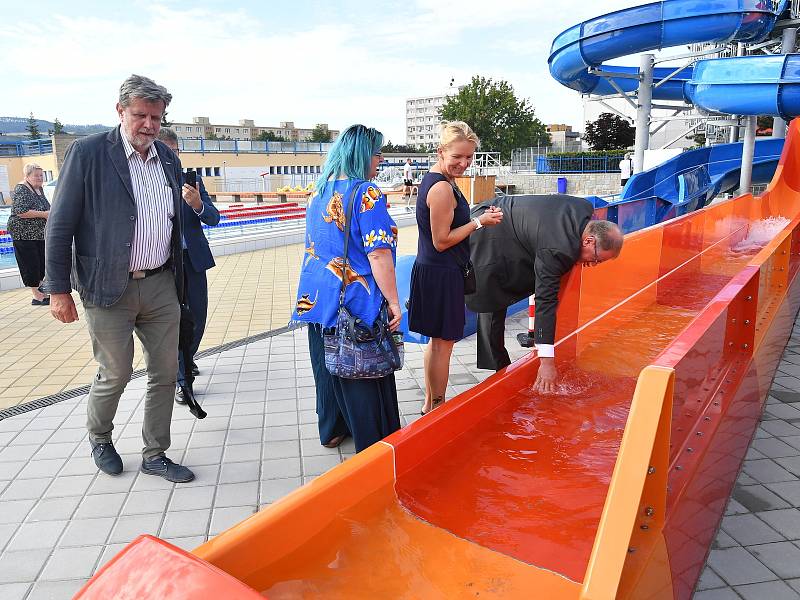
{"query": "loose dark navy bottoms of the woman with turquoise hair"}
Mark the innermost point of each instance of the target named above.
(367, 408)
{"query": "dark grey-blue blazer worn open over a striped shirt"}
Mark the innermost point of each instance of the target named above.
(95, 210)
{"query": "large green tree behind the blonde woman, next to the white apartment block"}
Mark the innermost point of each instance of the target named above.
(501, 120)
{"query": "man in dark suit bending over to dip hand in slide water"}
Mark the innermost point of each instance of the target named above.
(539, 240)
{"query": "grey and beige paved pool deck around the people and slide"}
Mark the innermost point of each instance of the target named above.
(60, 520)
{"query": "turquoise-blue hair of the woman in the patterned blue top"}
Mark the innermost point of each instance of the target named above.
(350, 155)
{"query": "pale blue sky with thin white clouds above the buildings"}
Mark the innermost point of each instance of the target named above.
(335, 62)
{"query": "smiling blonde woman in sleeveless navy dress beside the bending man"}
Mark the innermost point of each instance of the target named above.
(436, 303)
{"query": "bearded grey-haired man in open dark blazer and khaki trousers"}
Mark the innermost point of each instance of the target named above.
(118, 201)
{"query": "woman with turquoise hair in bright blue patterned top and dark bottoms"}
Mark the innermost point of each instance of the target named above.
(364, 408)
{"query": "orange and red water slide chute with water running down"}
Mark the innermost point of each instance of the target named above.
(612, 488)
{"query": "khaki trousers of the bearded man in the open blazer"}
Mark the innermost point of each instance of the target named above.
(149, 307)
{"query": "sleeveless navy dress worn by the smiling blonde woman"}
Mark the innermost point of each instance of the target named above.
(436, 301)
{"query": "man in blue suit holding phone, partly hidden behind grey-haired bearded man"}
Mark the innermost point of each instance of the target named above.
(197, 258)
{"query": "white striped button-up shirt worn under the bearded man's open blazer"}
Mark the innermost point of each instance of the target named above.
(154, 209)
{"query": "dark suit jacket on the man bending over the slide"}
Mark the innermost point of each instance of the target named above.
(537, 242)
